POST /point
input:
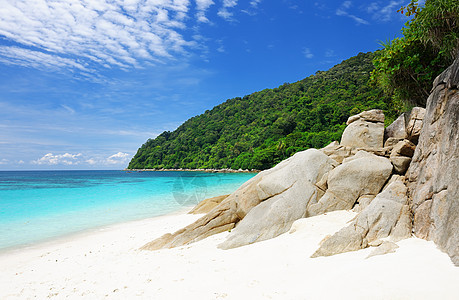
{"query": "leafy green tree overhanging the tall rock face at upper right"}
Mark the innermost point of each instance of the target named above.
(407, 66)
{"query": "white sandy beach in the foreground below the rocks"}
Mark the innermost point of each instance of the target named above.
(106, 264)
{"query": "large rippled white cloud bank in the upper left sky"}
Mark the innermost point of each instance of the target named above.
(74, 34)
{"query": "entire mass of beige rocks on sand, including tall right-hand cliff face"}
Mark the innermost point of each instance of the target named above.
(366, 172)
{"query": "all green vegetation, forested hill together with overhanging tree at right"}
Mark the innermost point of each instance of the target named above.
(263, 128)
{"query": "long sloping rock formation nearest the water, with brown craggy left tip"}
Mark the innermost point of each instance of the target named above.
(280, 194)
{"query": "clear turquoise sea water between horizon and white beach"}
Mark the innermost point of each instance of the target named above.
(40, 205)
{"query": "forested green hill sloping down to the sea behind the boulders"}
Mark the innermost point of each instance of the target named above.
(263, 128)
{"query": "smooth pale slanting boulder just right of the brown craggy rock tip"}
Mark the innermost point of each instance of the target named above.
(287, 192)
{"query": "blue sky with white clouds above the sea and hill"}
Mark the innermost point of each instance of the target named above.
(83, 84)
